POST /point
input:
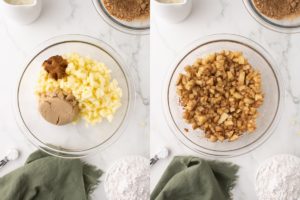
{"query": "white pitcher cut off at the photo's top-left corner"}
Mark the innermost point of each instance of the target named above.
(21, 13)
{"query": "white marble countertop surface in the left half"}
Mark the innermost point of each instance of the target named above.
(72, 17)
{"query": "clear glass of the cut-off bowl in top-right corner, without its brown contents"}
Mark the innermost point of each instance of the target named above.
(283, 26)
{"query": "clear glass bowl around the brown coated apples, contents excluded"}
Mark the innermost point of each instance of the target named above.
(268, 113)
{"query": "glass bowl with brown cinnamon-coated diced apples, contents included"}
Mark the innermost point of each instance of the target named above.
(223, 96)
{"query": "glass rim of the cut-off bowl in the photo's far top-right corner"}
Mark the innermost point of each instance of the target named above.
(267, 23)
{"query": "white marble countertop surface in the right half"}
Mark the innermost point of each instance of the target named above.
(224, 16)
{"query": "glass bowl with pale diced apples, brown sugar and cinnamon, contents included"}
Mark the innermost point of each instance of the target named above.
(74, 96)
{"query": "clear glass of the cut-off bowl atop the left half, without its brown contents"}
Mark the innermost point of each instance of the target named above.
(137, 27)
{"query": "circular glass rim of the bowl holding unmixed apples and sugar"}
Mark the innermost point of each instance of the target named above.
(67, 153)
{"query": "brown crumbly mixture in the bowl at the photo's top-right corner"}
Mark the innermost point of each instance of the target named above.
(278, 9)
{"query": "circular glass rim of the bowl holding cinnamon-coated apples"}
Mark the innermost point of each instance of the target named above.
(202, 42)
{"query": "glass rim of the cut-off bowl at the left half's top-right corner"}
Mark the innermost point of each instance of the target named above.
(117, 25)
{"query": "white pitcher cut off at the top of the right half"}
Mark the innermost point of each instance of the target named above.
(173, 12)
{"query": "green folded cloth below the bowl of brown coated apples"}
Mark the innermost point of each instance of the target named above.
(192, 178)
